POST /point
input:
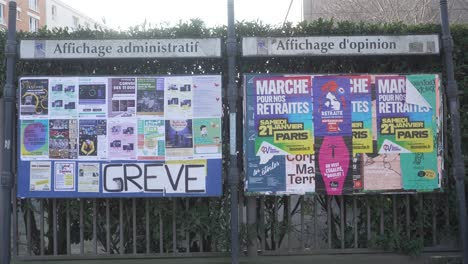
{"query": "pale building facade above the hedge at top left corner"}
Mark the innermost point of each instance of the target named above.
(31, 15)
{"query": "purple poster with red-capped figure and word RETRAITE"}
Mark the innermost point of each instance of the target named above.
(332, 106)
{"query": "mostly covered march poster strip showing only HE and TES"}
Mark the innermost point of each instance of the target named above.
(361, 103)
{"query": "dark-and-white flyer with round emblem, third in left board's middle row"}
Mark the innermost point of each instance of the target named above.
(93, 139)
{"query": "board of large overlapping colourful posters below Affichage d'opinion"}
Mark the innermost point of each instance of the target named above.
(342, 134)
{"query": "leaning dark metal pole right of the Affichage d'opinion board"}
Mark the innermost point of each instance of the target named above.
(454, 107)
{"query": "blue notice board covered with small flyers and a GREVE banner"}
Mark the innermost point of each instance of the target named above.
(120, 136)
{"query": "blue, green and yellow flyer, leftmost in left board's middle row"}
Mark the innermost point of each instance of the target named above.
(34, 139)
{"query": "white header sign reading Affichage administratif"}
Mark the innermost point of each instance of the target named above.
(123, 48)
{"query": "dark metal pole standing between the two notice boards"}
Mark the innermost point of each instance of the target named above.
(232, 100)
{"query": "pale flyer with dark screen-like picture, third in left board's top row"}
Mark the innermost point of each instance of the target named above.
(92, 97)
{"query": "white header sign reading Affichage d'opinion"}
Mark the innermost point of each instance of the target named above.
(341, 45)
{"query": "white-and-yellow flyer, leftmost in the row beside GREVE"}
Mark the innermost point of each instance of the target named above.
(39, 176)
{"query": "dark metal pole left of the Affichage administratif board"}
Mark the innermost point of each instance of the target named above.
(8, 121)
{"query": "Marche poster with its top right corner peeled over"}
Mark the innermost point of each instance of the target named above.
(404, 117)
